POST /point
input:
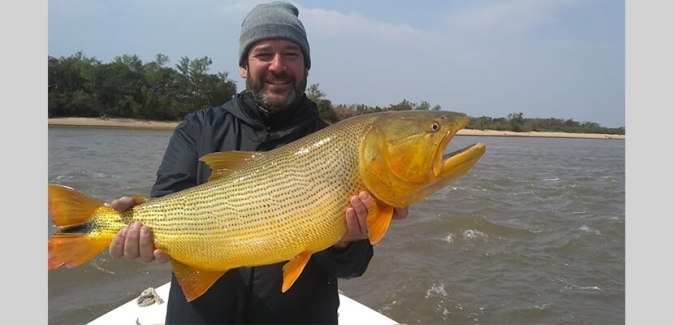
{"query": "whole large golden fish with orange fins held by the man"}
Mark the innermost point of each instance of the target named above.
(260, 208)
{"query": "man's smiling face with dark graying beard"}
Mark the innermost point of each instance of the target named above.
(275, 74)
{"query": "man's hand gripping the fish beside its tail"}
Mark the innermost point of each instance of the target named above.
(134, 241)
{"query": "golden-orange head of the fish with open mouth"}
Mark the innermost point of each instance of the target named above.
(402, 155)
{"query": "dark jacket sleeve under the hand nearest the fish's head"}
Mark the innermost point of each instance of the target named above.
(350, 262)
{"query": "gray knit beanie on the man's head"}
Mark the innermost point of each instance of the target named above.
(273, 20)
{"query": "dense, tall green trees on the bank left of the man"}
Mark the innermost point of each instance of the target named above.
(126, 87)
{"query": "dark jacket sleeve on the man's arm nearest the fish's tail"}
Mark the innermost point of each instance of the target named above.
(178, 168)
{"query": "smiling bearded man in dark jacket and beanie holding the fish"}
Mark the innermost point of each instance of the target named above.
(272, 111)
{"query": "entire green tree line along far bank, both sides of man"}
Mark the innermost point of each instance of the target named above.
(81, 86)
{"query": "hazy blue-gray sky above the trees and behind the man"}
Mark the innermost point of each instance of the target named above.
(543, 58)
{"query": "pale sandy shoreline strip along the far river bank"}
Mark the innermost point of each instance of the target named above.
(156, 125)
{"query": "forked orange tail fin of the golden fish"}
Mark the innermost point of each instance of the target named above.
(69, 208)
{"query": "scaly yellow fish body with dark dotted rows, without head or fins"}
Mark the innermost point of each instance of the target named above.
(217, 225)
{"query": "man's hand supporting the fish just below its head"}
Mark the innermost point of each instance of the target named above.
(356, 219)
